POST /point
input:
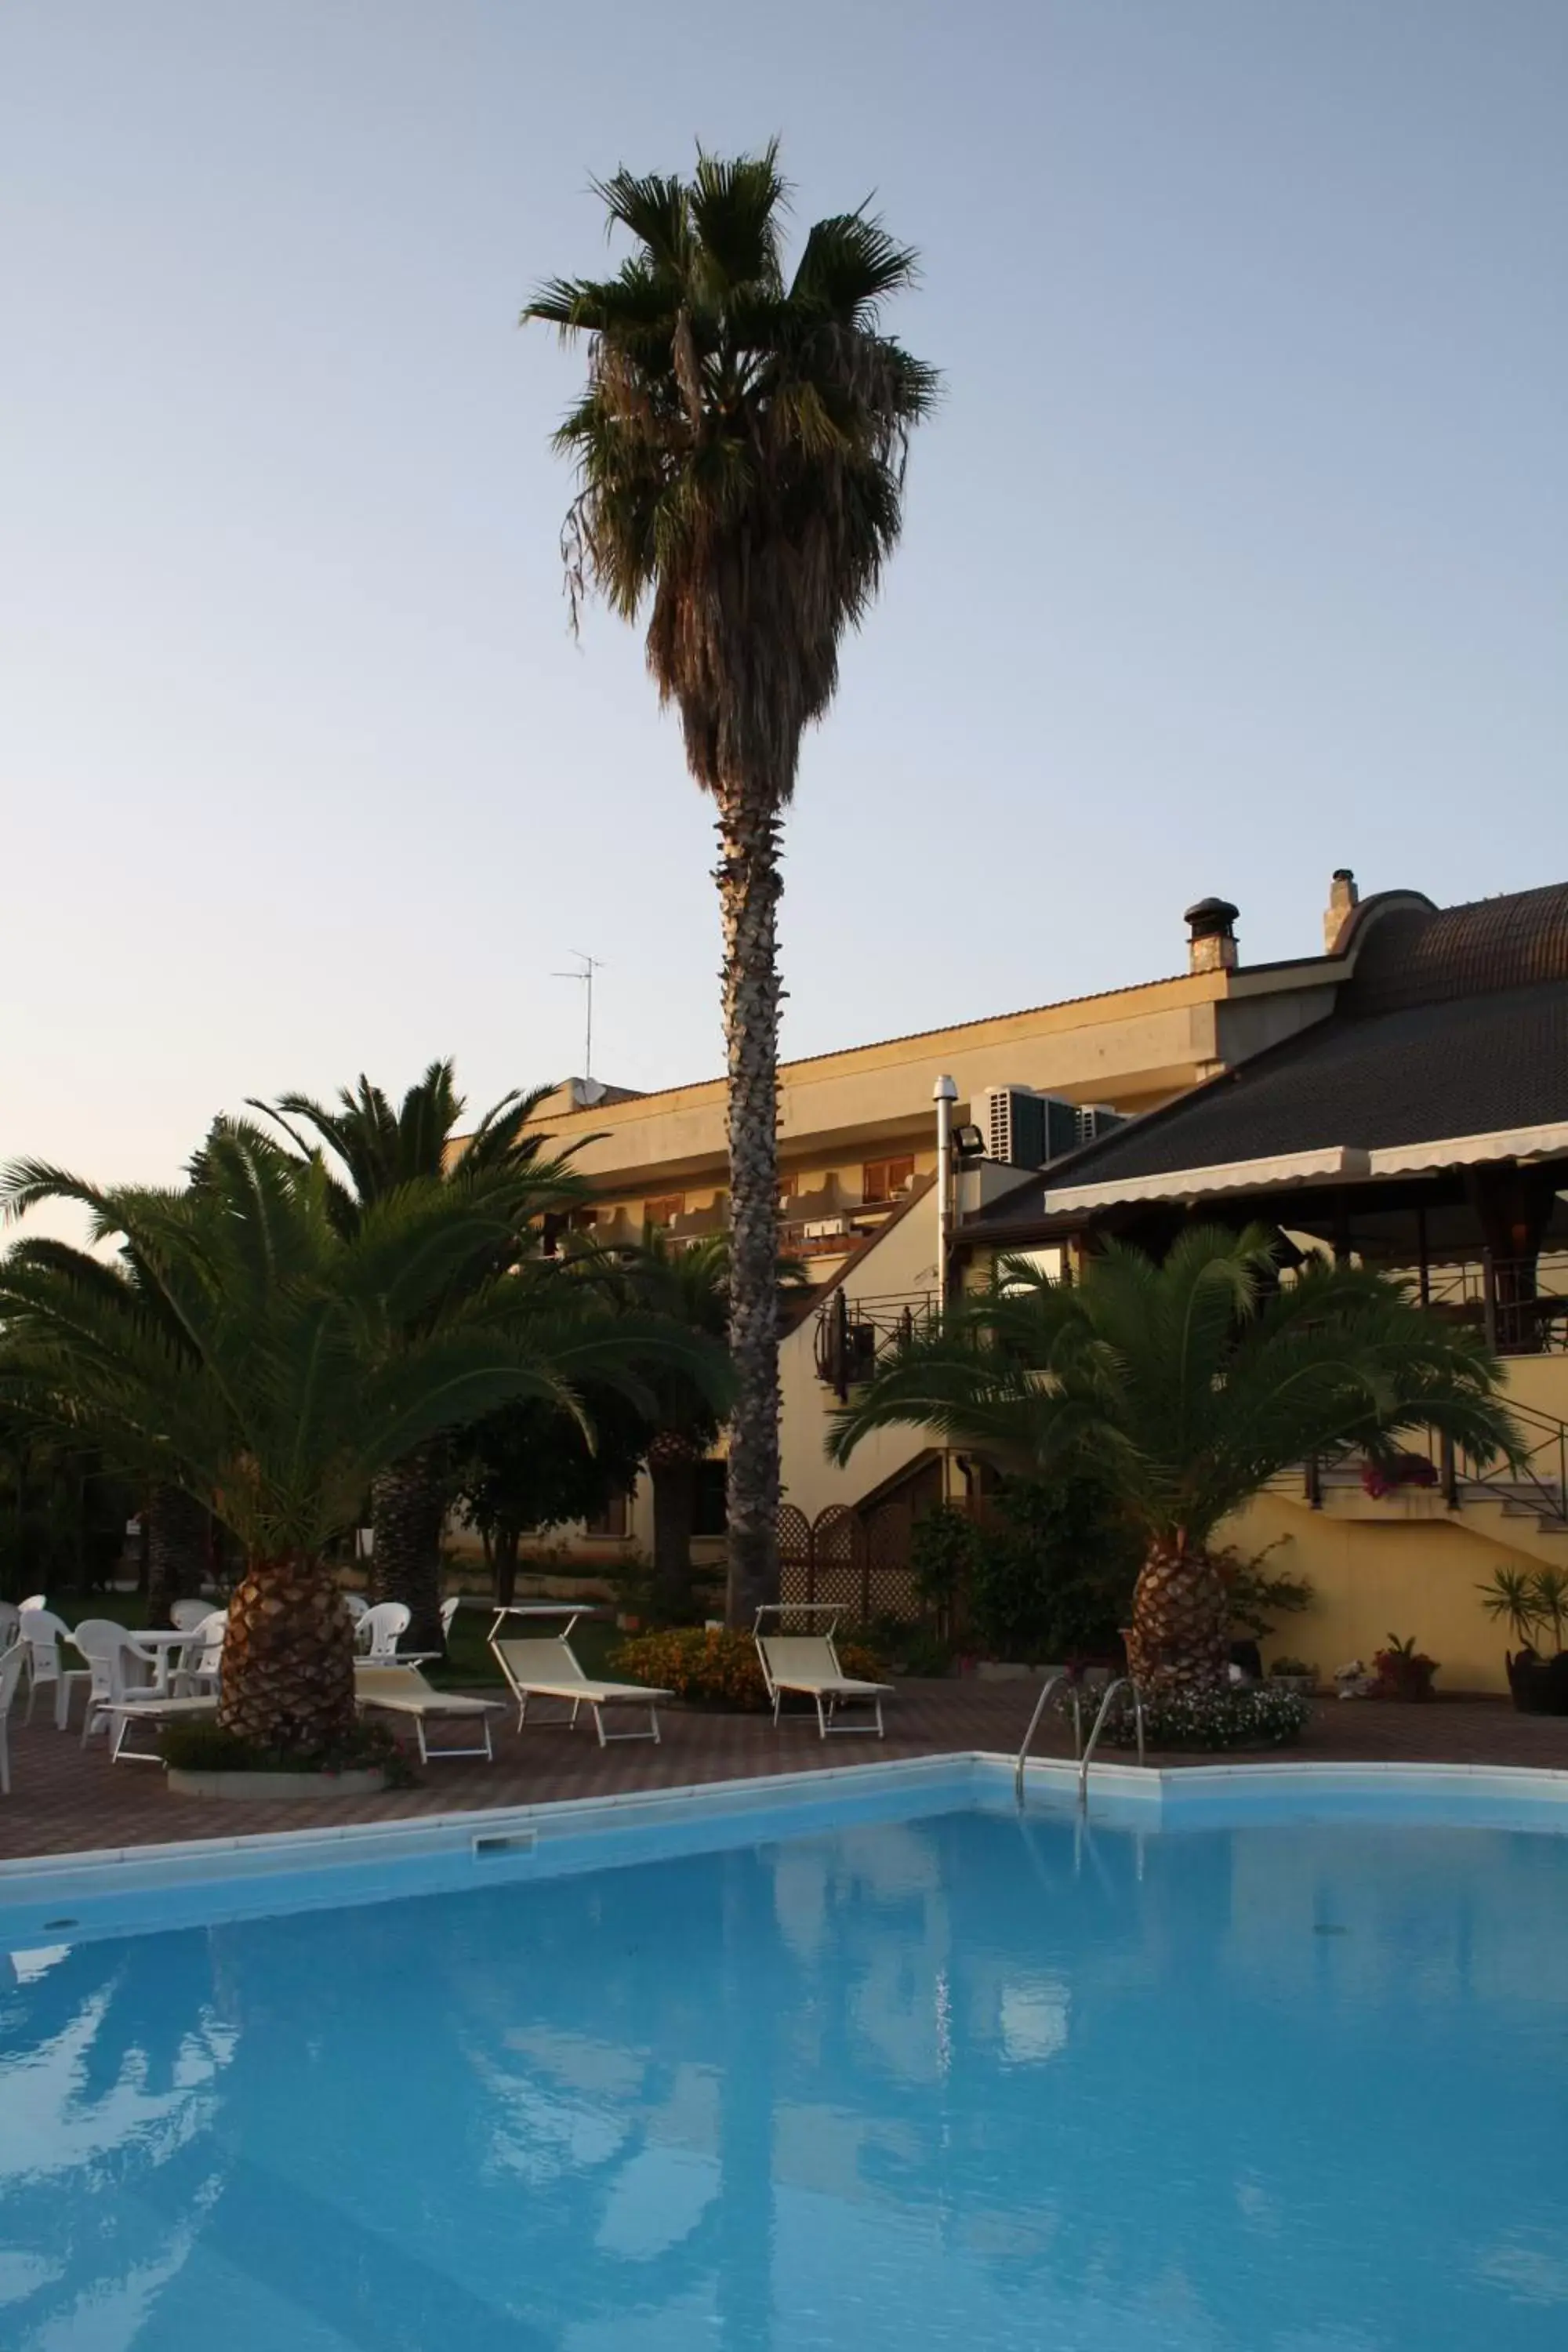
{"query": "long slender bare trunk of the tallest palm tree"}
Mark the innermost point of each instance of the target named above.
(749, 900)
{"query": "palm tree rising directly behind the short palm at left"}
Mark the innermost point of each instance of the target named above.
(375, 1151)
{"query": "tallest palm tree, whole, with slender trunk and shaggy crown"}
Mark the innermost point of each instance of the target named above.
(742, 450)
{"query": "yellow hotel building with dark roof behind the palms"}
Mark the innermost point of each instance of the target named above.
(1463, 1015)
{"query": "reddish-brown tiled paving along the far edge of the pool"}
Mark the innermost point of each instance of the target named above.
(65, 1800)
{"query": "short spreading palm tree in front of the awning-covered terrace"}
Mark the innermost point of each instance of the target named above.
(1186, 1387)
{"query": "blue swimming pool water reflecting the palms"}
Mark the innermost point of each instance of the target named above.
(927, 2083)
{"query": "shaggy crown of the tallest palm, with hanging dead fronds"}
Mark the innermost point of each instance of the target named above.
(742, 450)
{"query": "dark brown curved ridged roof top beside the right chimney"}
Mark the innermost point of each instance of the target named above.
(1412, 954)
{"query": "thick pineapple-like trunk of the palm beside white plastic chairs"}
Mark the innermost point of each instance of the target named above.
(288, 1657)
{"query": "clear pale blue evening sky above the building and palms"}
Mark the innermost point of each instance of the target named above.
(1238, 552)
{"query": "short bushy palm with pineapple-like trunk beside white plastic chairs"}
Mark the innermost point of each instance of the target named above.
(307, 1363)
